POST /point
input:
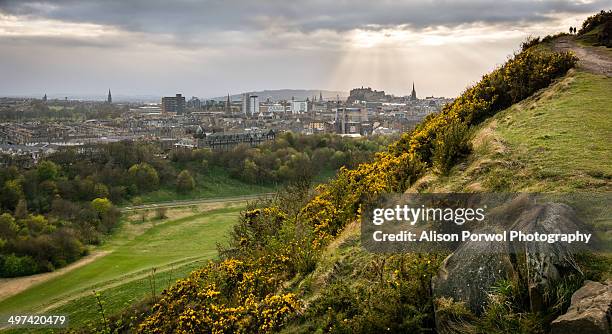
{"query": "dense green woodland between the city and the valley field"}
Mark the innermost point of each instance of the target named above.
(51, 212)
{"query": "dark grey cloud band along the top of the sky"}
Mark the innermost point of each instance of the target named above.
(188, 18)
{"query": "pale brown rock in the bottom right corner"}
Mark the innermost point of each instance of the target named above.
(590, 311)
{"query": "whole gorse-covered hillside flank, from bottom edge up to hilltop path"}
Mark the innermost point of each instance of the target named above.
(294, 262)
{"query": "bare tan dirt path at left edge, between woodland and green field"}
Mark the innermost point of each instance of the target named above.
(13, 286)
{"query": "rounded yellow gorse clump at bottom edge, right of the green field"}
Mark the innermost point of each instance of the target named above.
(230, 296)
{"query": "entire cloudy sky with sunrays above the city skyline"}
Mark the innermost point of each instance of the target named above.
(211, 48)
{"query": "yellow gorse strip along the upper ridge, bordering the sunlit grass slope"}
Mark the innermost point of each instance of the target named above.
(339, 201)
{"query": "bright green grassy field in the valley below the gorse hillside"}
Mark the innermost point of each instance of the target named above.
(173, 247)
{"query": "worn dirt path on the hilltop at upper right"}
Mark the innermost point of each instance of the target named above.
(592, 59)
